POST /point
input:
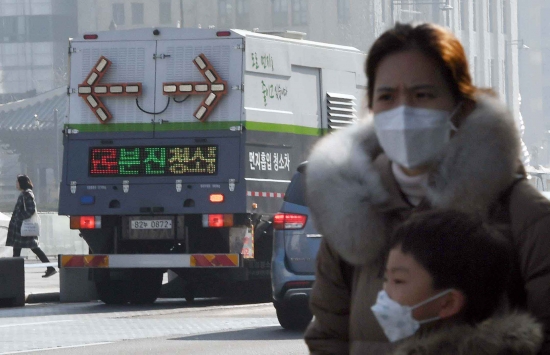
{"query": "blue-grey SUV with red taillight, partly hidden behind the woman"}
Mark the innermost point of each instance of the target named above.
(295, 246)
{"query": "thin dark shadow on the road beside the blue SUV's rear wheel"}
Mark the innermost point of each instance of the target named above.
(274, 332)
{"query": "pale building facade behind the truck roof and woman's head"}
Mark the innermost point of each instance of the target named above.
(487, 28)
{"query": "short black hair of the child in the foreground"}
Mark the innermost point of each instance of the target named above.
(459, 251)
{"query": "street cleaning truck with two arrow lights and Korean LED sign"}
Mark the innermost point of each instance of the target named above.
(179, 142)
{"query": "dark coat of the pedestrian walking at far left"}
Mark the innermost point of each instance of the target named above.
(20, 212)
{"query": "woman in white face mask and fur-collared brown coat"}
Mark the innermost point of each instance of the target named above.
(435, 141)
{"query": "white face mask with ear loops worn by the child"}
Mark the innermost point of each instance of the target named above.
(396, 320)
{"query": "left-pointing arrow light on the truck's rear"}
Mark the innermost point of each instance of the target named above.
(90, 89)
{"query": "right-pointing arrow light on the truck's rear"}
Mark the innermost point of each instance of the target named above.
(213, 89)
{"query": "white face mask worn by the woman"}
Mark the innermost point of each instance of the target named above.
(412, 136)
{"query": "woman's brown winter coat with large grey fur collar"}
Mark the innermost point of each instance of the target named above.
(356, 202)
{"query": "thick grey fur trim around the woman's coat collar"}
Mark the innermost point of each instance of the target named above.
(345, 188)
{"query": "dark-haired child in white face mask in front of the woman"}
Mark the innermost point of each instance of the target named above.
(446, 276)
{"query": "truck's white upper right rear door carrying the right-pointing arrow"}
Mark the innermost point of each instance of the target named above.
(176, 64)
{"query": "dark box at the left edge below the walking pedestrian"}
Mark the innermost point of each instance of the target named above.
(12, 282)
